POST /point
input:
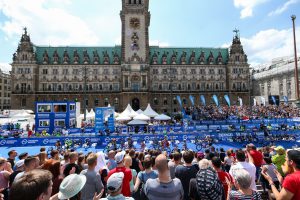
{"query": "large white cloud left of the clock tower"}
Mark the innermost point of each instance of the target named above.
(50, 23)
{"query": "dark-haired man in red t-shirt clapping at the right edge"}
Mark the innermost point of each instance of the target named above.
(291, 183)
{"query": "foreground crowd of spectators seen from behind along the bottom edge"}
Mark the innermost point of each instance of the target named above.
(153, 175)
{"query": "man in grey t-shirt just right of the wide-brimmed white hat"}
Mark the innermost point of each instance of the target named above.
(93, 179)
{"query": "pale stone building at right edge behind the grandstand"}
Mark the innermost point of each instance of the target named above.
(277, 78)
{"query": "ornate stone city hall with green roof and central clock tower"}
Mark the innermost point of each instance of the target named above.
(133, 73)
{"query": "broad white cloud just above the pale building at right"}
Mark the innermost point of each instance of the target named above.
(269, 44)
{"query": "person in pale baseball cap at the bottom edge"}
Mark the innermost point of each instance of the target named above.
(114, 187)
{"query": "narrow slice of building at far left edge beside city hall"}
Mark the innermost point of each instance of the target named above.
(5, 90)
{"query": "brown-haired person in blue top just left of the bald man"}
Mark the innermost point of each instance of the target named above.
(143, 176)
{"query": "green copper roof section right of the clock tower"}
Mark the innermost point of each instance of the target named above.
(188, 52)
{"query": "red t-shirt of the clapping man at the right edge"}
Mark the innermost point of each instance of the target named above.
(292, 183)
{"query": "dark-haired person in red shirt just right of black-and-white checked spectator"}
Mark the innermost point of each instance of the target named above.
(224, 177)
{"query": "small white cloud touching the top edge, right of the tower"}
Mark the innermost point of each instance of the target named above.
(247, 6)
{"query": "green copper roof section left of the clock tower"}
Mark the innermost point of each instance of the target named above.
(111, 51)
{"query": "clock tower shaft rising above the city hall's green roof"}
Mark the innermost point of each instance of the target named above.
(135, 19)
